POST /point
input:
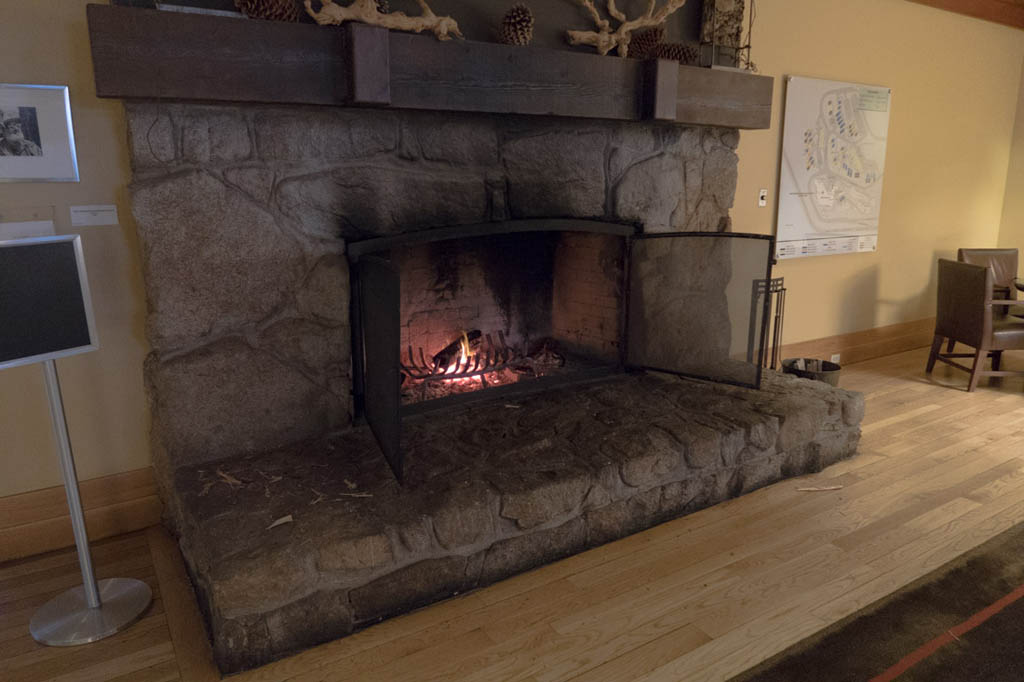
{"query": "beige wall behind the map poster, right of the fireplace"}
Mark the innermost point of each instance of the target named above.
(956, 83)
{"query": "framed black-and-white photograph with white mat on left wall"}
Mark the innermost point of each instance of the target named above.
(37, 143)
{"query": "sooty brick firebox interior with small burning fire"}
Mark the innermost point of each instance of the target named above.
(496, 311)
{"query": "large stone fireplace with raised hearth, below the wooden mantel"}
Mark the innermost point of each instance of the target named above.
(259, 227)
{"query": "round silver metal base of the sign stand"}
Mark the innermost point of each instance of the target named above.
(68, 621)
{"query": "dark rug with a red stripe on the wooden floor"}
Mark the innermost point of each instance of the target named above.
(961, 623)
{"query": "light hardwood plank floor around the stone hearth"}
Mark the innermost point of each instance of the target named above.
(938, 473)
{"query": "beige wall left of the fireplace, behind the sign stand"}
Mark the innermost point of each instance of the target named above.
(48, 44)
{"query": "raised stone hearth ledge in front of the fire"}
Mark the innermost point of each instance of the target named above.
(492, 492)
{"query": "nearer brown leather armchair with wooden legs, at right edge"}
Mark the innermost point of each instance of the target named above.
(968, 314)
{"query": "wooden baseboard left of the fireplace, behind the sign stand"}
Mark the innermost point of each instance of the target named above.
(38, 522)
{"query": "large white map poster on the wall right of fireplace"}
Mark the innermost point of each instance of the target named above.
(834, 153)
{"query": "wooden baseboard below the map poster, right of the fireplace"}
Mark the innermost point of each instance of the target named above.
(867, 345)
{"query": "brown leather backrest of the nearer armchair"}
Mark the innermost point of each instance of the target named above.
(964, 312)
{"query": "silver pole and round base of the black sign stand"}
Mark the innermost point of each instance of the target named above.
(94, 611)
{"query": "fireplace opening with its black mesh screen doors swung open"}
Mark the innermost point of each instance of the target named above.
(448, 317)
